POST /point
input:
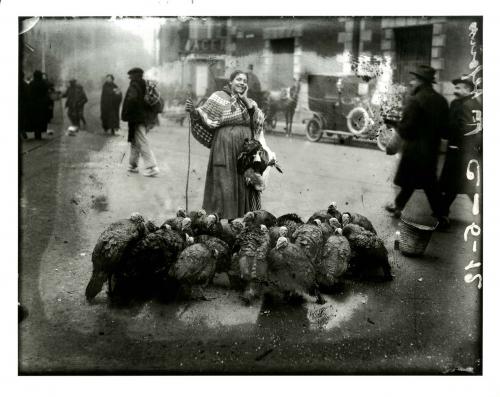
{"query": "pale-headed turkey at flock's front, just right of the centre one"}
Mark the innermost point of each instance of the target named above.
(291, 272)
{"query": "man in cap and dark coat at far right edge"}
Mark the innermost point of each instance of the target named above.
(462, 148)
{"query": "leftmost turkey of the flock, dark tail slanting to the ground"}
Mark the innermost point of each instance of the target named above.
(110, 249)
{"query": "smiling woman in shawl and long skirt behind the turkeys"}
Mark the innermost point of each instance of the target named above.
(227, 118)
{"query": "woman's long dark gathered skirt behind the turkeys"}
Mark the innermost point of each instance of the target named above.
(225, 190)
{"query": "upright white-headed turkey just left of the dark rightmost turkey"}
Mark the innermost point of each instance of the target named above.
(334, 261)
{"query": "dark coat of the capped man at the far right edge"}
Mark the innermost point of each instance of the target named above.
(461, 149)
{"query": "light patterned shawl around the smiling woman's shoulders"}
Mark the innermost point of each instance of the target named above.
(222, 109)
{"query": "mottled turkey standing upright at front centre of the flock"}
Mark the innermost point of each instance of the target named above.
(253, 247)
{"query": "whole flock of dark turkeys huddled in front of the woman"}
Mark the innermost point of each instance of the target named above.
(260, 254)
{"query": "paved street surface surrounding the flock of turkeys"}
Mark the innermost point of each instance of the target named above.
(426, 321)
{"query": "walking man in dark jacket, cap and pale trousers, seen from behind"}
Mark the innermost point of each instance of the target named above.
(140, 120)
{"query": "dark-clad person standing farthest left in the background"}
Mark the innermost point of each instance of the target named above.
(38, 104)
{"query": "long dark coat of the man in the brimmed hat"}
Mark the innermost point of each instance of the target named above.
(424, 122)
